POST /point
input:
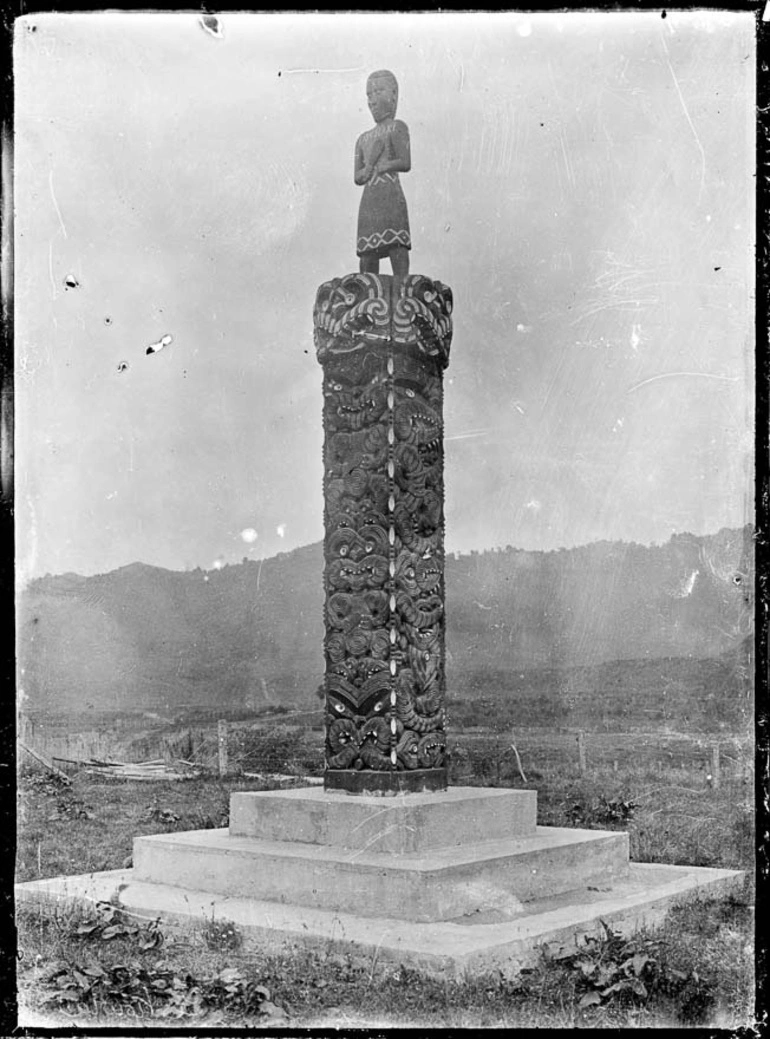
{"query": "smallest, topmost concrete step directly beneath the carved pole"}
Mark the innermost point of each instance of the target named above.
(400, 825)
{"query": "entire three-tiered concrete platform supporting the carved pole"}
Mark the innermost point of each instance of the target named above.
(454, 882)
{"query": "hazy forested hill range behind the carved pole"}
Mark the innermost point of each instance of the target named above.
(146, 638)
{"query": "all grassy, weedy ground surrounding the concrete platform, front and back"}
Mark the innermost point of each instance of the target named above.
(697, 971)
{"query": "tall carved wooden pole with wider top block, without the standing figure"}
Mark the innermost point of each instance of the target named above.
(384, 349)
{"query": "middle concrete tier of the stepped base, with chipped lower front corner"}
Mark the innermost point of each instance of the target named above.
(443, 884)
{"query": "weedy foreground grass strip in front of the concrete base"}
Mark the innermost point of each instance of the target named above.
(697, 970)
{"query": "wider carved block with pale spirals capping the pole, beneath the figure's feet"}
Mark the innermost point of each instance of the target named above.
(414, 314)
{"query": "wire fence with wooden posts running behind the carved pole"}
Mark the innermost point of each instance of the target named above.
(295, 747)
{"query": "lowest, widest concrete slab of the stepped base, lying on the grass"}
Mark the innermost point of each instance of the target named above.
(479, 944)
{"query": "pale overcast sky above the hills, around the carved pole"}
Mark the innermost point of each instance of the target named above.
(585, 183)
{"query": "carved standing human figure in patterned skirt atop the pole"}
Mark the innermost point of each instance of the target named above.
(382, 154)
